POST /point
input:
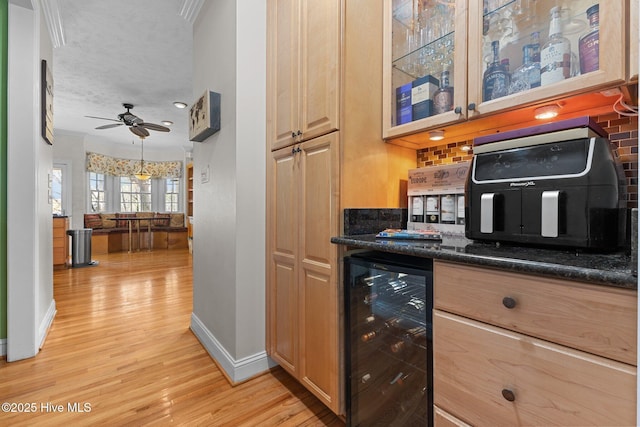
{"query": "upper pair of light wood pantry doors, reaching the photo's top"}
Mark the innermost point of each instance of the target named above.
(303, 64)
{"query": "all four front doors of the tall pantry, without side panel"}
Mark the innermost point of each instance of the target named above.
(302, 192)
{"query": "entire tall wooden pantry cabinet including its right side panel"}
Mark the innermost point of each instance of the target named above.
(326, 153)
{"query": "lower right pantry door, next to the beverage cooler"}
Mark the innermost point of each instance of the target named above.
(319, 287)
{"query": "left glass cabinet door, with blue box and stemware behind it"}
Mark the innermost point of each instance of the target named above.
(424, 64)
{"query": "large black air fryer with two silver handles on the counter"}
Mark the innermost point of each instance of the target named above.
(558, 184)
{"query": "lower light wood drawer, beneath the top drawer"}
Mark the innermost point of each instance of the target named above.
(476, 364)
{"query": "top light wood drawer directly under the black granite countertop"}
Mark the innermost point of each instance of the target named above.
(597, 319)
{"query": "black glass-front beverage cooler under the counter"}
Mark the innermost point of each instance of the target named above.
(388, 334)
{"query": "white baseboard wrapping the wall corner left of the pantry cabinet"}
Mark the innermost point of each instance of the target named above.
(236, 370)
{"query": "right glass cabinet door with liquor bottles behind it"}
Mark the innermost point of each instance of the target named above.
(524, 51)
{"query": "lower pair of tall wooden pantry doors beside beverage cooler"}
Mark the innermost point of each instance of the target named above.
(303, 290)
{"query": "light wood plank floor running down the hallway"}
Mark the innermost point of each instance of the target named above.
(121, 344)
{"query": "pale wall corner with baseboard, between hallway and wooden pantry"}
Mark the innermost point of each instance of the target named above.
(229, 209)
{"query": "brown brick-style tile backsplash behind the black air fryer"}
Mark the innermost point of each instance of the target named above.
(623, 133)
